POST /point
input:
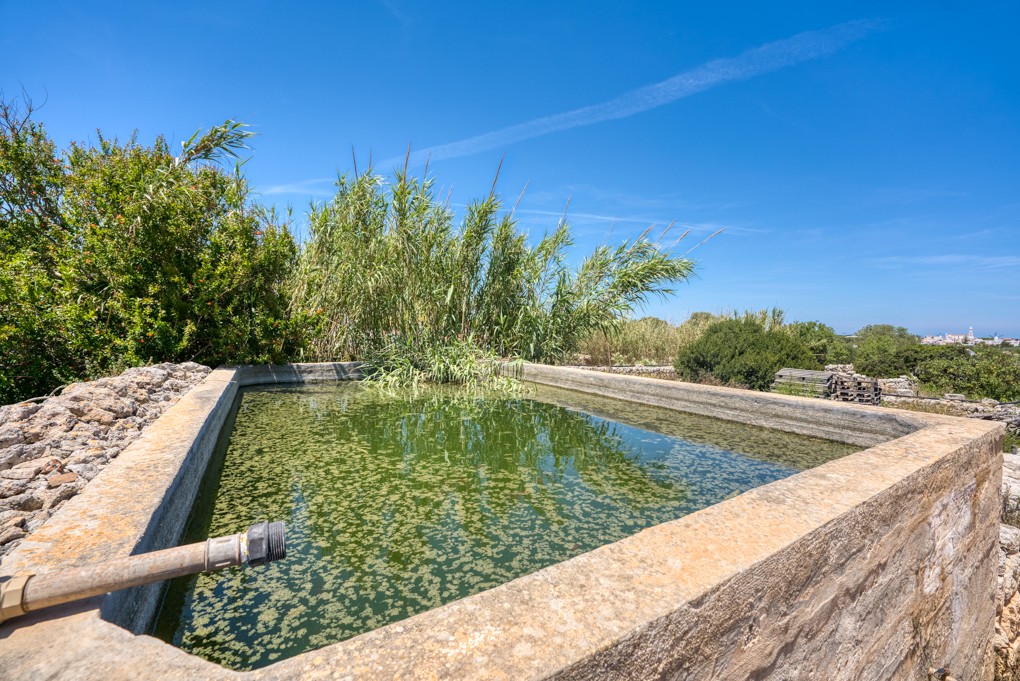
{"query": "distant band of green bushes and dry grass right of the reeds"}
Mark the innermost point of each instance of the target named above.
(746, 350)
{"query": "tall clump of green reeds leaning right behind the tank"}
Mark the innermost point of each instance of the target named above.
(389, 275)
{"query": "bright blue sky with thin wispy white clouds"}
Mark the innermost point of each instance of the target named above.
(864, 159)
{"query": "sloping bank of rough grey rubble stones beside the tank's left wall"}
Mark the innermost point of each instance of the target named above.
(50, 451)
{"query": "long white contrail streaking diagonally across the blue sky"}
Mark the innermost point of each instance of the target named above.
(769, 58)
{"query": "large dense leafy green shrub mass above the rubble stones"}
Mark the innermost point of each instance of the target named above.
(120, 254)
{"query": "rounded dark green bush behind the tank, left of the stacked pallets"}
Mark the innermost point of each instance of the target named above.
(743, 353)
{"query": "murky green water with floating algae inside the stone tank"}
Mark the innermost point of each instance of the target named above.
(397, 503)
